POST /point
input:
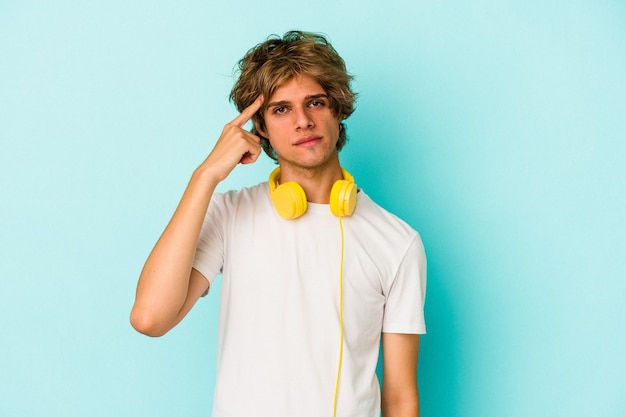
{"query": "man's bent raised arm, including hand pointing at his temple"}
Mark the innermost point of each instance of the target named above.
(168, 285)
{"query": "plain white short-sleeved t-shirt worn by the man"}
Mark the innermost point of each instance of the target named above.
(278, 342)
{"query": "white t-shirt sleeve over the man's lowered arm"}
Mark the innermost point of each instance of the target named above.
(404, 306)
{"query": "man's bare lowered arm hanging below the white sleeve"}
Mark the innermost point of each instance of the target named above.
(399, 387)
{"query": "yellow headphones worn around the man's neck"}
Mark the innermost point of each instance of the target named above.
(290, 200)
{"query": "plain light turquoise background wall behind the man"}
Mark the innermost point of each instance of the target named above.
(497, 129)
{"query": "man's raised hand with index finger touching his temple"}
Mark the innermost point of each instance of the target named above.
(235, 145)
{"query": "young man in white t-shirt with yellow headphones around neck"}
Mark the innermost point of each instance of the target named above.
(314, 273)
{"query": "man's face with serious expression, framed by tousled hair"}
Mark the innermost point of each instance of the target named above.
(301, 126)
